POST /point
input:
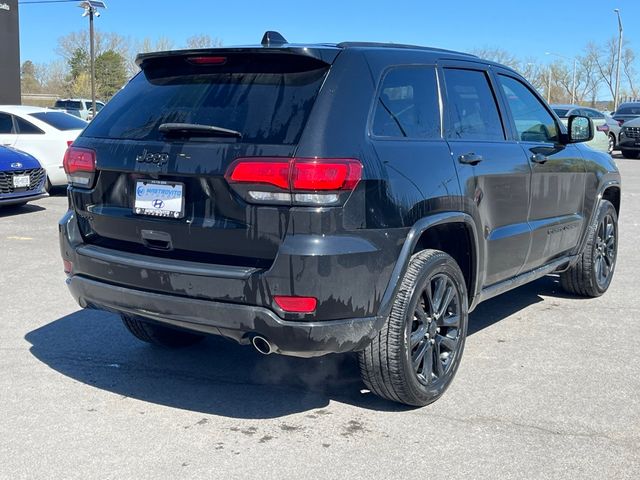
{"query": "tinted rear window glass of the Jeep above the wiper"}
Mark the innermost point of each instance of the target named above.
(266, 107)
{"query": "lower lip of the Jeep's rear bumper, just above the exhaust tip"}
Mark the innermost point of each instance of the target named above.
(238, 322)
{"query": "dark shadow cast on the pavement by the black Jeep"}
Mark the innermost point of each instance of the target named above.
(218, 376)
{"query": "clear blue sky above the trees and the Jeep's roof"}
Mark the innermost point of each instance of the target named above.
(562, 26)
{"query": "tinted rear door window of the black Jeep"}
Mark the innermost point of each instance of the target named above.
(472, 106)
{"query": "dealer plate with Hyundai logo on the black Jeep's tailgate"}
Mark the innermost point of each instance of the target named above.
(159, 199)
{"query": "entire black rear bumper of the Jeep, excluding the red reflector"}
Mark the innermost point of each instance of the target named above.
(348, 276)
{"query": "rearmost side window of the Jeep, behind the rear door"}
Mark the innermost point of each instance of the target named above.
(407, 105)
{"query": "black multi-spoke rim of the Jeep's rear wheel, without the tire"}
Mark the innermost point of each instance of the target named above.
(434, 333)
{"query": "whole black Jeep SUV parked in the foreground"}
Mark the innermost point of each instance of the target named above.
(310, 199)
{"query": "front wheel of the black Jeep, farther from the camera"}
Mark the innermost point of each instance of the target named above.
(593, 272)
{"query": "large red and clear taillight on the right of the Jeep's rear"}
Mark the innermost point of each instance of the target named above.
(301, 181)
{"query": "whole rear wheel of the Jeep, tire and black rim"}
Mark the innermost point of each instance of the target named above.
(387, 368)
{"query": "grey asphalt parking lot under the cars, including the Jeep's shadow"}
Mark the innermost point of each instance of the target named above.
(549, 387)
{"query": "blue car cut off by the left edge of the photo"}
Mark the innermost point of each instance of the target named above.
(22, 178)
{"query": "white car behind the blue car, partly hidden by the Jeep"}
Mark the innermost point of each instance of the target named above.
(43, 133)
